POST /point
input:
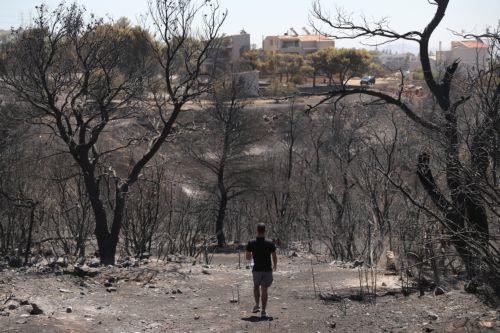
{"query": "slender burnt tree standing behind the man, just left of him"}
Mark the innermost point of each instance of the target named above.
(224, 150)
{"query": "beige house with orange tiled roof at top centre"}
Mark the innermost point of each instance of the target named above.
(292, 42)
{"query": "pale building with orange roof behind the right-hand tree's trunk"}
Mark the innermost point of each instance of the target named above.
(469, 52)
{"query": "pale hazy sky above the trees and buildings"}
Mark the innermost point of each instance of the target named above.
(271, 17)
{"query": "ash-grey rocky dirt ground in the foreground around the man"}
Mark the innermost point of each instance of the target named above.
(179, 296)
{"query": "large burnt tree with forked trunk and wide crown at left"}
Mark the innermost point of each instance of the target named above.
(77, 77)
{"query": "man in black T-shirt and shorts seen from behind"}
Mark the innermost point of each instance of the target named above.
(261, 249)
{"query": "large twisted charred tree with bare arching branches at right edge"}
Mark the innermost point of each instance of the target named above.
(462, 206)
